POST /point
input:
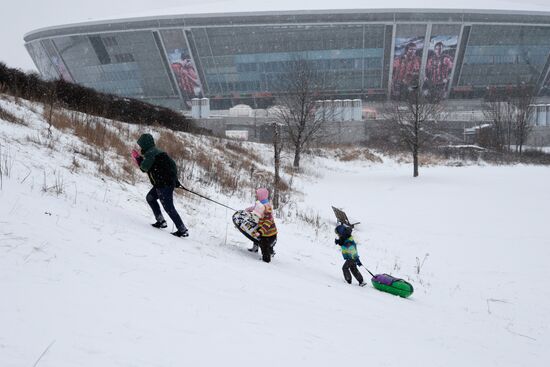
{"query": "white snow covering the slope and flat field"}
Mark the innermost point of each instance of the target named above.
(85, 281)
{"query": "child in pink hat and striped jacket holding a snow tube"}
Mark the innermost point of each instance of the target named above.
(265, 233)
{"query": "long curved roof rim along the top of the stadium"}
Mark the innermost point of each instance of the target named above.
(351, 14)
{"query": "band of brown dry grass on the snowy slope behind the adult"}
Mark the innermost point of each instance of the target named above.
(229, 166)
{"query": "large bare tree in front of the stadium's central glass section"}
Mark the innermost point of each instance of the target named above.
(298, 91)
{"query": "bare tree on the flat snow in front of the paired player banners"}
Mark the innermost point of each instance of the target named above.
(414, 116)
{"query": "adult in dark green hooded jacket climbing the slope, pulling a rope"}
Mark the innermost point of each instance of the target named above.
(163, 174)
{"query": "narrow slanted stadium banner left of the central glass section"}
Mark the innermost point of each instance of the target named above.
(182, 65)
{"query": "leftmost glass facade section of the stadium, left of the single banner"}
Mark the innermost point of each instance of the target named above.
(127, 64)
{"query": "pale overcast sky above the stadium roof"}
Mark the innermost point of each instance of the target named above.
(21, 16)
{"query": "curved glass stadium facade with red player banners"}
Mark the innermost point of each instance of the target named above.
(238, 58)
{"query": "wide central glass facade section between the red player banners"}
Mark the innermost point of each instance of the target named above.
(252, 59)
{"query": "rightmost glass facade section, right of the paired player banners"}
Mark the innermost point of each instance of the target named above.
(498, 55)
